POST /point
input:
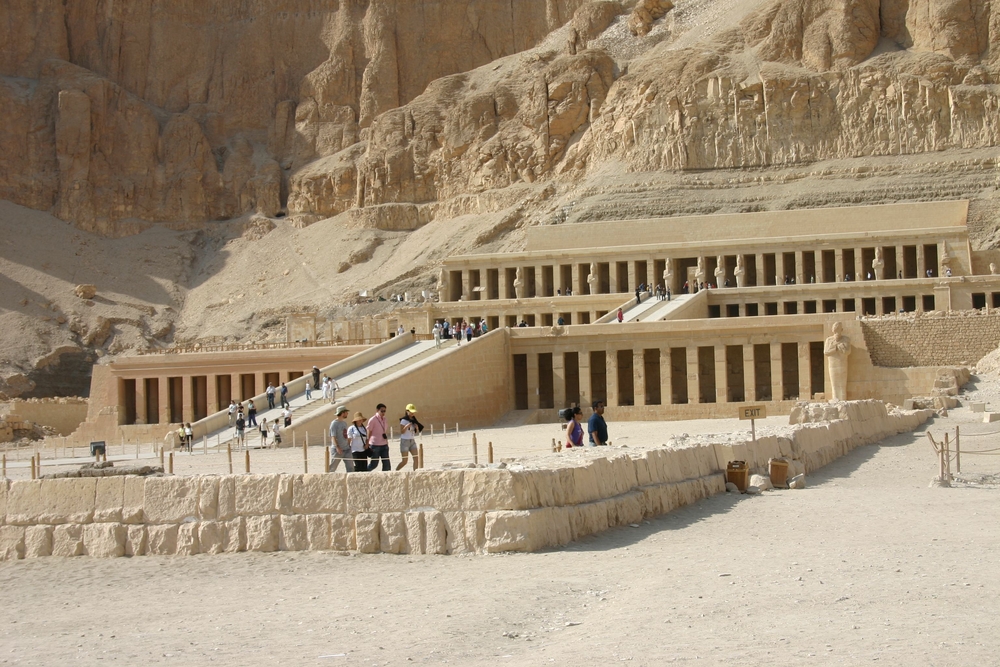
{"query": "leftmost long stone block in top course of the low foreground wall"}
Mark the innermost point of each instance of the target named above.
(51, 501)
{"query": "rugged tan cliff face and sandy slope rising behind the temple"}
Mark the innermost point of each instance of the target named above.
(417, 129)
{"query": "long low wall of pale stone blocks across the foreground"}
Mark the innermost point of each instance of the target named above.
(426, 511)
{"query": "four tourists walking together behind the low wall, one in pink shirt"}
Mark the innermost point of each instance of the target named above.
(363, 445)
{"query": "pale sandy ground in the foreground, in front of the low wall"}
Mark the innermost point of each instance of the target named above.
(867, 564)
